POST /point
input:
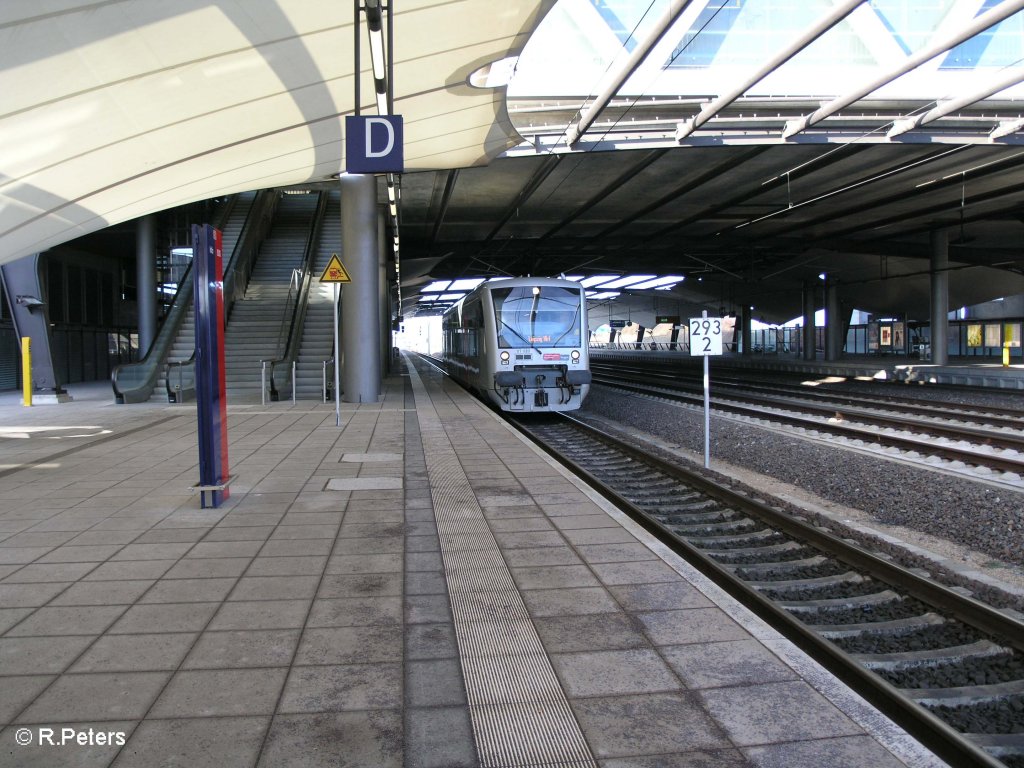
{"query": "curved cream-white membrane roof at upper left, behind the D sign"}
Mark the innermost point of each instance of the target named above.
(111, 110)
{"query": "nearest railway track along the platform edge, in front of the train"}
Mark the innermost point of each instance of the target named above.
(948, 668)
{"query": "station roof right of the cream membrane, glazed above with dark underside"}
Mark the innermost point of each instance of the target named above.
(764, 143)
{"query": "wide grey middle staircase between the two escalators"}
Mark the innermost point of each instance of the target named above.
(254, 331)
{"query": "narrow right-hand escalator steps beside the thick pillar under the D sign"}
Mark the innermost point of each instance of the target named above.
(318, 331)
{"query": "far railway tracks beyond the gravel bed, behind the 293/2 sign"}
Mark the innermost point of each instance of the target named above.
(956, 440)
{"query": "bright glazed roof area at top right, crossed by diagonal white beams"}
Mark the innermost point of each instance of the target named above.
(715, 45)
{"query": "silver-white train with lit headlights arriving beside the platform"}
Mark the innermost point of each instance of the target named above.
(522, 344)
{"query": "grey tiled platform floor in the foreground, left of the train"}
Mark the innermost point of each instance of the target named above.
(419, 587)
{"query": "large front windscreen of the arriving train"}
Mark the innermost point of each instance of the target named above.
(537, 316)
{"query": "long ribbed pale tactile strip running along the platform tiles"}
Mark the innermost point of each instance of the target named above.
(519, 710)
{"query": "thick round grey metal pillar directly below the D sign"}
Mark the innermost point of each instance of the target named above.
(360, 310)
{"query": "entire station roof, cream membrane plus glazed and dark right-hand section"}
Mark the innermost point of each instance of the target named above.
(762, 142)
